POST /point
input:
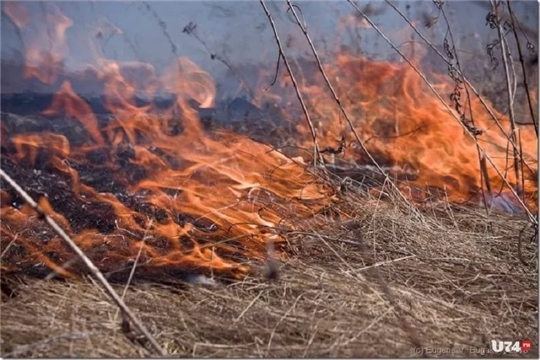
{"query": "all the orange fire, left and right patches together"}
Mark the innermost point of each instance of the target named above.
(154, 183)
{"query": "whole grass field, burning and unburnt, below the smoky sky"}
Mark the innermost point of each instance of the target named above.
(171, 204)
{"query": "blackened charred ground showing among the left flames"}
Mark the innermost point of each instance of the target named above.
(105, 171)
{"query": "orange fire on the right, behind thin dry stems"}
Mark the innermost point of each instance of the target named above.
(405, 126)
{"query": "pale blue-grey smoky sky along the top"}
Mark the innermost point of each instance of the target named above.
(239, 31)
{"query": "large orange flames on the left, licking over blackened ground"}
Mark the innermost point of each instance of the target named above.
(150, 180)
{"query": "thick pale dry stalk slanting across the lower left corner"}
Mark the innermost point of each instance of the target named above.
(93, 269)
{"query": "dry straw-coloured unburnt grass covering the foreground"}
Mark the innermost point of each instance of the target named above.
(455, 274)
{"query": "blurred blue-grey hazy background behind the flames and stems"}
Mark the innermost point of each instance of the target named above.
(226, 36)
